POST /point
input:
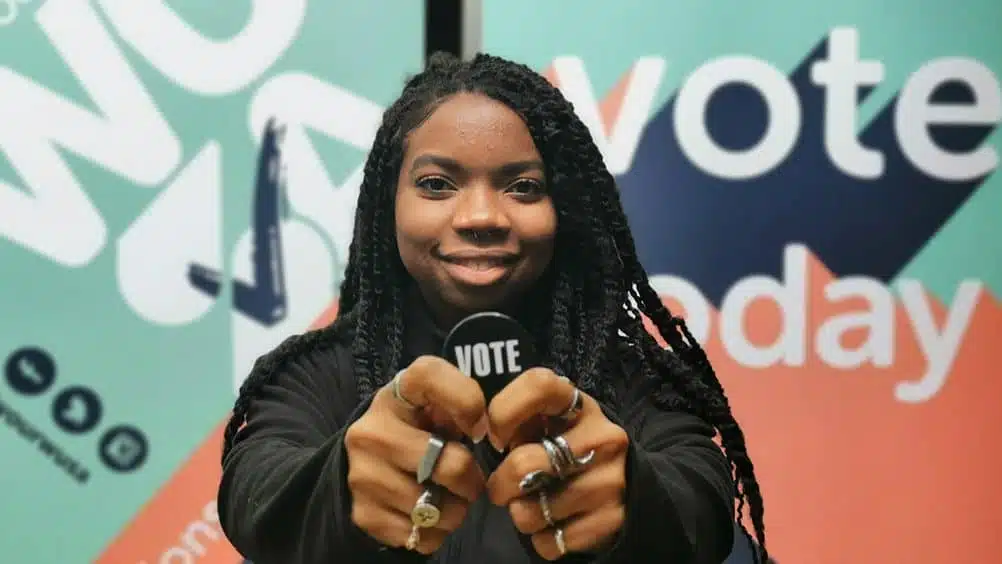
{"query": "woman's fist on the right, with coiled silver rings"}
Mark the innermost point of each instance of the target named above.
(587, 509)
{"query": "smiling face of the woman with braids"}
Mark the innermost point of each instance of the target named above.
(475, 225)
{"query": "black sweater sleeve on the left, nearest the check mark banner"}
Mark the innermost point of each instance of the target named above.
(284, 495)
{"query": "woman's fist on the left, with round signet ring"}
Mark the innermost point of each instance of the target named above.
(386, 446)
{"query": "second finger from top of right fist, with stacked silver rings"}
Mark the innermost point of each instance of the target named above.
(593, 433)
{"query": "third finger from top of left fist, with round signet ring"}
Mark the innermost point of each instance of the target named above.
(397, 490)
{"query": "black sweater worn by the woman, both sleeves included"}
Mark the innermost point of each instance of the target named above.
(284, 497)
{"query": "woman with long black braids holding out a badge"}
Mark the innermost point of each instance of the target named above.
(355, 443)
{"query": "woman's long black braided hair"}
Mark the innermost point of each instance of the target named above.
(598, 291)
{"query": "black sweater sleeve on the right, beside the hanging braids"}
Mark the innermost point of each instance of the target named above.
(680, 489)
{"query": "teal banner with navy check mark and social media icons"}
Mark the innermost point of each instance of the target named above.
(145, 266)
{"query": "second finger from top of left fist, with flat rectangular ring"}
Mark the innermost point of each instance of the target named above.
(403, 447)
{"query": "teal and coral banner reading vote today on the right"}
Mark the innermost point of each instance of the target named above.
(816, 186)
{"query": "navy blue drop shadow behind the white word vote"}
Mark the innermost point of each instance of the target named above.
(715, 232)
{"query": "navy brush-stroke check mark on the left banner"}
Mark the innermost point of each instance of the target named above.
(264, 300)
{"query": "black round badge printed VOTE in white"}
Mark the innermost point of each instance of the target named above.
(491, 348)
